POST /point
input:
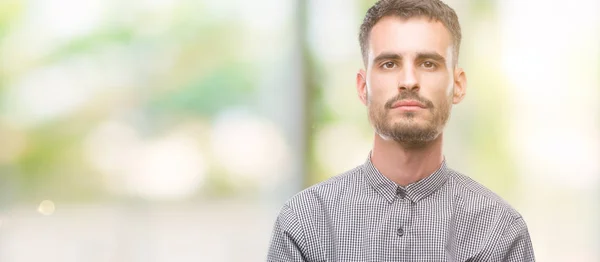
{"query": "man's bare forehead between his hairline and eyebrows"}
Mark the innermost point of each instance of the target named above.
(405, 36)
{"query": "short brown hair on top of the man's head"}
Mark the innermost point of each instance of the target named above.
(432, 9)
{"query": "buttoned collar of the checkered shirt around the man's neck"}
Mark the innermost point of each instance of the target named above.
(389, 190)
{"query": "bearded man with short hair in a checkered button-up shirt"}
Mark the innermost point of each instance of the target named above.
(404, 203)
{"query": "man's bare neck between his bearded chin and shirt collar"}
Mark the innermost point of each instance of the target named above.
(406, 164)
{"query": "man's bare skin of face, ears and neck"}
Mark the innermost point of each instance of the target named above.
(409, 60)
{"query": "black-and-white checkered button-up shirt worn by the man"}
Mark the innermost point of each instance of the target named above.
(362, 216)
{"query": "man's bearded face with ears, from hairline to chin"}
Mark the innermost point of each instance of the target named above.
(410, 81)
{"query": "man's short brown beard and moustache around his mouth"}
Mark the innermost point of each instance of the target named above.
(408, 130)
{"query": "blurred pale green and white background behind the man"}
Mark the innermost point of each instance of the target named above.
(161, 130)
